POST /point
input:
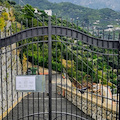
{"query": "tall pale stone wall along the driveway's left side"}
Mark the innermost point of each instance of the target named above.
(9, 65)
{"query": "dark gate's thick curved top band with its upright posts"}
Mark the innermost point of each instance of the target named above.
(50, 30)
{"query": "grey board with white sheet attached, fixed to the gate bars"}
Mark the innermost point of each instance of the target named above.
(30, 83)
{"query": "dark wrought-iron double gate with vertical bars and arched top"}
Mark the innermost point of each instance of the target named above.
(81, 73)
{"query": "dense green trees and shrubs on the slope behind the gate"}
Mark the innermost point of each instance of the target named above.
(77, 62)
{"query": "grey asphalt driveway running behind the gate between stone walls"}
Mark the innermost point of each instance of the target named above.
(39, 102)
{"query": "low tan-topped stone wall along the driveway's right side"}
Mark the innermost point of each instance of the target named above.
(90, 105)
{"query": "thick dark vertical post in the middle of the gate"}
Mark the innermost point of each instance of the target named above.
(50, 67)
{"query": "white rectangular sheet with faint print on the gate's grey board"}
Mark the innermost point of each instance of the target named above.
(25, 83)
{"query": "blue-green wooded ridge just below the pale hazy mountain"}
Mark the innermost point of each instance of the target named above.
(68, 10)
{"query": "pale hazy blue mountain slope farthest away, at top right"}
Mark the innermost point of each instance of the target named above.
(95, 4)
